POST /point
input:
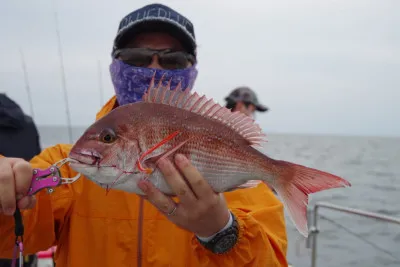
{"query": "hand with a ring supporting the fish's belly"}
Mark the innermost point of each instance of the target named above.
(200, 210)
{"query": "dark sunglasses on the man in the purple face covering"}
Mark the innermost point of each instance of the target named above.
(167, 58)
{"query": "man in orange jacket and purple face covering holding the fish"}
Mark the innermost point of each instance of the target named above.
(90, 228)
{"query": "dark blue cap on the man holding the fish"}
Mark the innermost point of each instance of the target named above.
(160, 18)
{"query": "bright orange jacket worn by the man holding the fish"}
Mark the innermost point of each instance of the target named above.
(92, 229)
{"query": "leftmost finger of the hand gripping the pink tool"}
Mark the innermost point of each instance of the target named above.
(7, 187)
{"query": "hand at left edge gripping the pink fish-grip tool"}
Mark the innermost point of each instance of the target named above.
(15, 179)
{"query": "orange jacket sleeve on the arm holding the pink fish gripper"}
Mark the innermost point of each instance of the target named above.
(42, 223)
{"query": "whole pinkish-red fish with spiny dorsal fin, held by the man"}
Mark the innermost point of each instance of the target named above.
(125, 145)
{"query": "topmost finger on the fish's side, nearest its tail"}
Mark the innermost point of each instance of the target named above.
(199, 185)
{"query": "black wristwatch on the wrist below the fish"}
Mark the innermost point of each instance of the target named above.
(224, 240)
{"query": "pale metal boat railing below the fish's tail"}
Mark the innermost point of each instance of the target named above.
(313, 229)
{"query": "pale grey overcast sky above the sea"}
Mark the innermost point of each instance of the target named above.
(321, 66)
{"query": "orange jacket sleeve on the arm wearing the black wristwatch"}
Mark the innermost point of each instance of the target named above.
(262, 235)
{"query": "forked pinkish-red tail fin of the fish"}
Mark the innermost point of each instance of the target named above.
(296, 182)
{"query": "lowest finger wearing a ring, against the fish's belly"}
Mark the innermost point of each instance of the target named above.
(156, 197)
